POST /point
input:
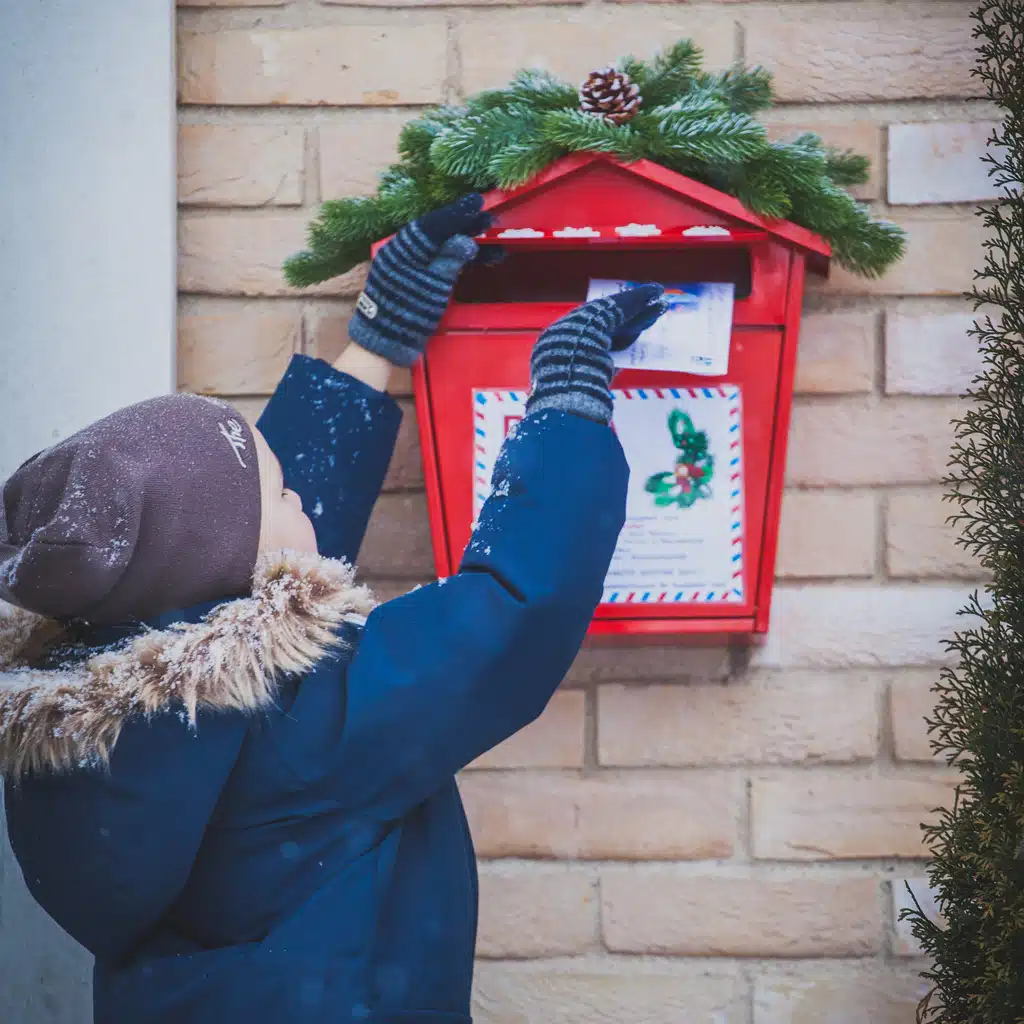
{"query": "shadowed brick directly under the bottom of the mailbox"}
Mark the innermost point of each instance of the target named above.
(602, 664)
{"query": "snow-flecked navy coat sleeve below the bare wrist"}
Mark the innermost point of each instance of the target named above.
(335, 438)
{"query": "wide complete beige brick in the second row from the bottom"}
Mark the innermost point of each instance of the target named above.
(668, 910)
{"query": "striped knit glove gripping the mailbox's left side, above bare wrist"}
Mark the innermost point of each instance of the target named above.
(412, 278)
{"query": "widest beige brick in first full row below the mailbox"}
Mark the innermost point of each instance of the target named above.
(755, 719)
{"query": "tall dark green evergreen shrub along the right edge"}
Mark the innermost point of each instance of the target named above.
(977, 954)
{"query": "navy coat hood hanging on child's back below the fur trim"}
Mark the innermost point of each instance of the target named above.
(106, 852)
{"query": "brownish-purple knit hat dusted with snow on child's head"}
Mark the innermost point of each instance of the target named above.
(152, 509)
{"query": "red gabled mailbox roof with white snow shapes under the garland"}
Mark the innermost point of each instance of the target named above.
(596, 196)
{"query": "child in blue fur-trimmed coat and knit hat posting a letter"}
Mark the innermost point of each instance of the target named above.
(247, 810)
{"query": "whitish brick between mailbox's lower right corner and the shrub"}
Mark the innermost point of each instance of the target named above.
(854, 626)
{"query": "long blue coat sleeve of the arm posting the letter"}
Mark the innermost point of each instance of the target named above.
(449, 671)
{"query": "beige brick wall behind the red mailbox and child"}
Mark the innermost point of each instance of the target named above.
(687, 835)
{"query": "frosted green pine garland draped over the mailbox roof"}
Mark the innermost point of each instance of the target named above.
(697, 123)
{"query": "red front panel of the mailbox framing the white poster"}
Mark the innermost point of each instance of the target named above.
(458, 364)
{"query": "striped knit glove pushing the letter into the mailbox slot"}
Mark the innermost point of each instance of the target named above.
(572, 367)
